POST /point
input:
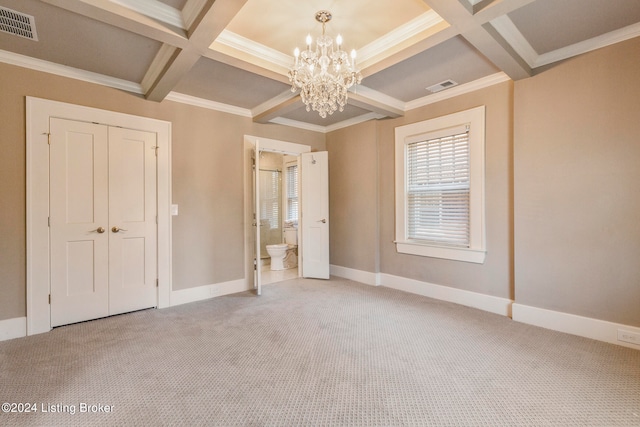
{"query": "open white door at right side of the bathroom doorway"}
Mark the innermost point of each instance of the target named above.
(314, 217)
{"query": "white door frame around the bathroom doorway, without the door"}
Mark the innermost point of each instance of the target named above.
(265, 144)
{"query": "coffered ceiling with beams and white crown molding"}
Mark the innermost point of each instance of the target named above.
(234, 55)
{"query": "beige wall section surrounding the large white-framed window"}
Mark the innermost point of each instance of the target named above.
(495, 276)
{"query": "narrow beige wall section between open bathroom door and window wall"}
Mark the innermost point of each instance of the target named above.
(353, 198)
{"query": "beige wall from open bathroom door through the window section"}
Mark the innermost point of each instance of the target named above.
(363, 195)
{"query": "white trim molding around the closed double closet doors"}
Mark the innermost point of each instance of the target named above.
(37, 156)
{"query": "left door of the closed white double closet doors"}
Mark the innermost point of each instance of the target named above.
(79, 219)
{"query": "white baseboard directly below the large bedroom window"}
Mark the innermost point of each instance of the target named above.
(497, 305)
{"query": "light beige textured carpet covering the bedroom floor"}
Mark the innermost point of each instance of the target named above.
(320, 353)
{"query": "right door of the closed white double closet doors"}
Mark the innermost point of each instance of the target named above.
(132, 220)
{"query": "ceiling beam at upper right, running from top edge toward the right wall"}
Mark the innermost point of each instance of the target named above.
(482, 36)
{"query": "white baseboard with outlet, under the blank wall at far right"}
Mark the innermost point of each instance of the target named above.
(587, 327)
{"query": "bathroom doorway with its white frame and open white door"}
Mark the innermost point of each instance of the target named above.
(286, 204)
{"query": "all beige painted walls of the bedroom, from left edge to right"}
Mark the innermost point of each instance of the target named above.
(562, 193)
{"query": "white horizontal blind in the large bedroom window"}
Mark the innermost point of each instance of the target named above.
(438, 179)
